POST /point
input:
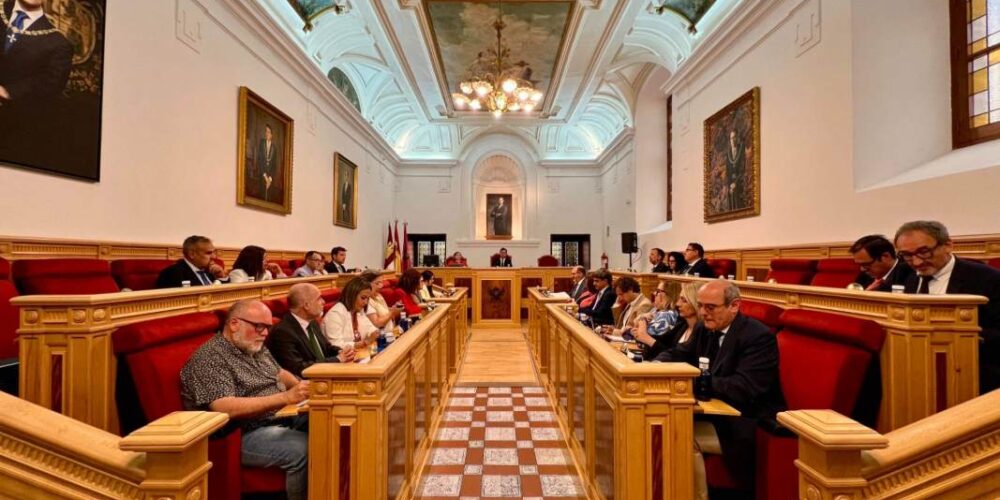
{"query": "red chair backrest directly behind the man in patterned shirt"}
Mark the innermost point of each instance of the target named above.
(156, 351)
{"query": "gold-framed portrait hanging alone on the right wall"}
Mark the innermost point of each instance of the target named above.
(732, 160)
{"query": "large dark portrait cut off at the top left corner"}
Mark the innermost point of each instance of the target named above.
(51, 85)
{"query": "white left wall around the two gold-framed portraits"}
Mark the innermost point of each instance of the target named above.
(169, 147)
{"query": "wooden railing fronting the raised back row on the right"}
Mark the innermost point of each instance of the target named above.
(930, 359)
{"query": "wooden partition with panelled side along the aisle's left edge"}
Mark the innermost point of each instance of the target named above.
(371, 425)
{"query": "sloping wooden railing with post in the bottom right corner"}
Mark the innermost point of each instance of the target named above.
(952, 454)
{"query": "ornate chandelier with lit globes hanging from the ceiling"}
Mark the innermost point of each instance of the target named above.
(496, 84)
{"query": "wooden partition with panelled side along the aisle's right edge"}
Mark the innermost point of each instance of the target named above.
(629, 425)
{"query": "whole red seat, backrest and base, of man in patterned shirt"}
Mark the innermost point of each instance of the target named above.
(155, 352)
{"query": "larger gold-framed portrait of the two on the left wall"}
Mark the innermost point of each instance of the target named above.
(264, 169)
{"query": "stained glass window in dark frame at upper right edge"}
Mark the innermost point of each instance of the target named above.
(977, 70)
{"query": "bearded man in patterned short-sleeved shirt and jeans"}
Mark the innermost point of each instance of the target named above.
(233, 373)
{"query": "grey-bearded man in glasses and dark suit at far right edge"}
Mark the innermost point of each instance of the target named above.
(926, 247)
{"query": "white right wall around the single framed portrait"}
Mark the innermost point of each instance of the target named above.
(823, 117)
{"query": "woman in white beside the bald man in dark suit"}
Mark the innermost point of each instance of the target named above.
(347, 323)
